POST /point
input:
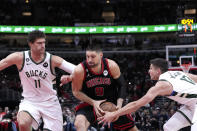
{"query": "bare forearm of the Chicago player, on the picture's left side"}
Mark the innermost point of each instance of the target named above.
(83, 97)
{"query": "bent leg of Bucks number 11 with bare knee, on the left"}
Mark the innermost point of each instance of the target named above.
(28, 116)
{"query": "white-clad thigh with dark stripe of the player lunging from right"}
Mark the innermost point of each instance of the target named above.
(181, 119)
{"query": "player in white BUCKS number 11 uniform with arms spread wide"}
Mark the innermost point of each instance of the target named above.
(36, 70)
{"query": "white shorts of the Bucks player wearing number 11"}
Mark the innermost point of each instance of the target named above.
(49, 112)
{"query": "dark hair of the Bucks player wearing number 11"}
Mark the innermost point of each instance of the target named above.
(32, 36)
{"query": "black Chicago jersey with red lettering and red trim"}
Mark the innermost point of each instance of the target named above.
(99, 86)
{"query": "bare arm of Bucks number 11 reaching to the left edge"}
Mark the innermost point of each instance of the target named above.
(12, 59)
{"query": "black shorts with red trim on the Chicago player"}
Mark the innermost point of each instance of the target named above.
(123, 123)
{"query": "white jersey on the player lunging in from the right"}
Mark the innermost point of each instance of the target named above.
(184, 88)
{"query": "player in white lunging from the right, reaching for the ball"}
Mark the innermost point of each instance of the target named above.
(176, 85)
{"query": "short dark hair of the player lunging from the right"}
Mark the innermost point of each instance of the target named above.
(160, 63)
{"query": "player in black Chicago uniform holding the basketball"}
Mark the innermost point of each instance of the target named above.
(94, 81)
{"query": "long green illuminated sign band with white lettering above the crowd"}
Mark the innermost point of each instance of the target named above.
(94, 30)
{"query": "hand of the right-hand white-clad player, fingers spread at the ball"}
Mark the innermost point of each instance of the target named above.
(107, 118)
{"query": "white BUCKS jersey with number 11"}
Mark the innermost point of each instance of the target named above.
(37, 78)
